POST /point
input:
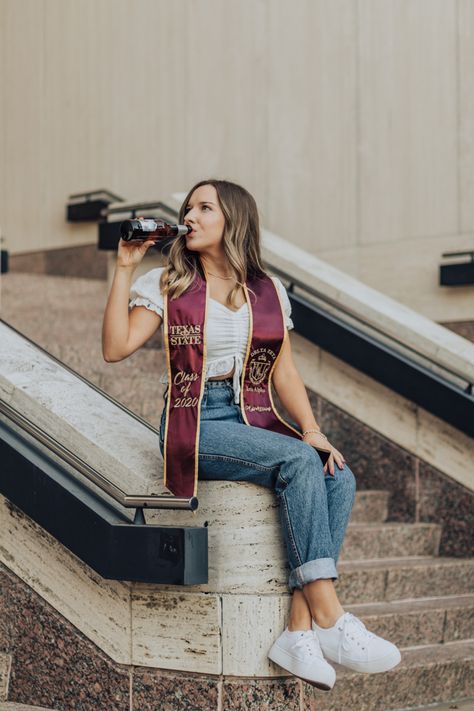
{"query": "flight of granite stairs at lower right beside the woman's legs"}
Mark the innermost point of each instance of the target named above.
(422, 603)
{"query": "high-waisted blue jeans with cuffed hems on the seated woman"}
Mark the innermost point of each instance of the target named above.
(314, 505)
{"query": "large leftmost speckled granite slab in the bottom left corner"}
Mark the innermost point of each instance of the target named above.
(53, 665)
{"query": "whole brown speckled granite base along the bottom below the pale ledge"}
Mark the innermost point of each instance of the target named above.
(55, 666)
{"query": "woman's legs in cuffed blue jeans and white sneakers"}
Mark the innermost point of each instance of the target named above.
(314, 510)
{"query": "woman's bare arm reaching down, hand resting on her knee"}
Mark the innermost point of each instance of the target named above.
(292, 393)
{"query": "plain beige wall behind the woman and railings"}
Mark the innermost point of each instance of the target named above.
(351, 122)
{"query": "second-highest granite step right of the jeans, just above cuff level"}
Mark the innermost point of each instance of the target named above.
(389, 540)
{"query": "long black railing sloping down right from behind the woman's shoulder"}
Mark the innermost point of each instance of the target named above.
(444, 391)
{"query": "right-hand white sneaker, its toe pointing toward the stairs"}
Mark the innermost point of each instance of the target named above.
(349, 643)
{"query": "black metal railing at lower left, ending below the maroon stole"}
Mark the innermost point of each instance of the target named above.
(41, 485)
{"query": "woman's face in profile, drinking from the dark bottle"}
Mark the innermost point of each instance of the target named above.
(204, 214)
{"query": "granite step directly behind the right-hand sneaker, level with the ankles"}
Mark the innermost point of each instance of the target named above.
(431, 620)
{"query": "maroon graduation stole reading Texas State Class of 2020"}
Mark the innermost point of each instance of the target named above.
(184, 336)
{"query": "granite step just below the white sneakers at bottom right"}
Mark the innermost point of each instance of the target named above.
(426, 674)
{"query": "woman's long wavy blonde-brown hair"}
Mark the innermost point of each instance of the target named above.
(241, 242)
